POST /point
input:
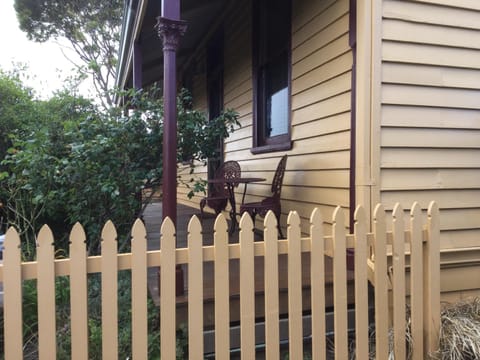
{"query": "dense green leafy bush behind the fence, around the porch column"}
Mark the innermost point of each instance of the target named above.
(89, 166)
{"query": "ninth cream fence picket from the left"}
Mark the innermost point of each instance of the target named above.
(247, 288)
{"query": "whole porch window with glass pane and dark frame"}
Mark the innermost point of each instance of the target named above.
(271, 74)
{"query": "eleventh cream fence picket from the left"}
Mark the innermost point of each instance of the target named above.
(295, 326)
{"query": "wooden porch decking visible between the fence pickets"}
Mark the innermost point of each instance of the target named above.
(153, 219)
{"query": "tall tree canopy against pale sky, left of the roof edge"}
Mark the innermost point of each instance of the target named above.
(91, 27)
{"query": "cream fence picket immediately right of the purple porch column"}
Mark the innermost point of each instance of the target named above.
(195, 290)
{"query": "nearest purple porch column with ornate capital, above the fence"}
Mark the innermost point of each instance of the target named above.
(170, 29)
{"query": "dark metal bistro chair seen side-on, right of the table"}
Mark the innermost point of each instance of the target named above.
(272, 202)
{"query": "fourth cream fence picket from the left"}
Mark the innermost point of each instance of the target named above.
(109, 292)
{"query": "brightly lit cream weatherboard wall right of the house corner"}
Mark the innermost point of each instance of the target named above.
(430, 112)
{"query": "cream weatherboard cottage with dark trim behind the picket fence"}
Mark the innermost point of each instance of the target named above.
(373, 101)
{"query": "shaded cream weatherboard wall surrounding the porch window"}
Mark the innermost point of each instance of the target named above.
(317, 173)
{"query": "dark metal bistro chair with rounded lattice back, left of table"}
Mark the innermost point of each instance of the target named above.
(218, 195)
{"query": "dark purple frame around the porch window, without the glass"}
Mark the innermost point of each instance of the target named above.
(261, 142)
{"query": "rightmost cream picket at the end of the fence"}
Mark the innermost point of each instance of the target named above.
(432, 279)
